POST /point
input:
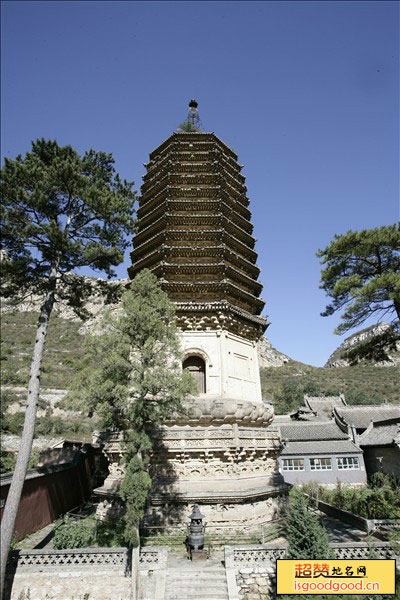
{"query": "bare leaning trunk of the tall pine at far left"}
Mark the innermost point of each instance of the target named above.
(17, 483)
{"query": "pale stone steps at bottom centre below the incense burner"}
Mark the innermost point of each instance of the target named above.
(196, 584)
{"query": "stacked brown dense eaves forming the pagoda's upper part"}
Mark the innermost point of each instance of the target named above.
(194, 229)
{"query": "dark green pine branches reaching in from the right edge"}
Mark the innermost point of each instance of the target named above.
(361, 274)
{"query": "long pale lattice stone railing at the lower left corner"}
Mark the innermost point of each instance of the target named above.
(77, 559)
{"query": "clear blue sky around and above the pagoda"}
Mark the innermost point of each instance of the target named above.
(305, 92)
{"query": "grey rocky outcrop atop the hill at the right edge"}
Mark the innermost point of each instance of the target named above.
(372, 338)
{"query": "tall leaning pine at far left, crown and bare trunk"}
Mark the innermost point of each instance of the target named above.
(60, 212)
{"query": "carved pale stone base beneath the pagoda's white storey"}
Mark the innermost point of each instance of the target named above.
(220, 456)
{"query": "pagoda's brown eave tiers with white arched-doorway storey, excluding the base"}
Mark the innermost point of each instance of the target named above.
(195, 234)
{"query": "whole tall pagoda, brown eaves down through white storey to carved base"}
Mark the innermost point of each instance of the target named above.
(195, 235)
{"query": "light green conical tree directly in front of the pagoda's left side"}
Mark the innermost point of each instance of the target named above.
(132, 378)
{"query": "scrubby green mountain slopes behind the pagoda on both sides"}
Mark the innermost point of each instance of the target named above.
(64, 349)
